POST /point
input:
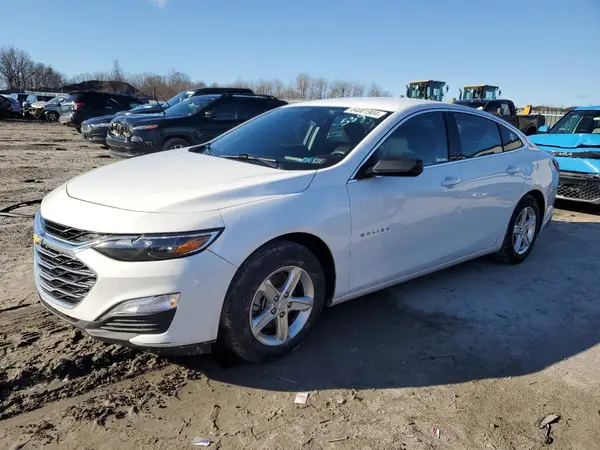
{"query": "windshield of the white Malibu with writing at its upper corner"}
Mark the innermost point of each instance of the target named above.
(300, 137)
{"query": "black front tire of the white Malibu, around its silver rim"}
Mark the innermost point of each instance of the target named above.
(243, 296)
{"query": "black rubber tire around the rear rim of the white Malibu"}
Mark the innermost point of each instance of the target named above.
(508, 253)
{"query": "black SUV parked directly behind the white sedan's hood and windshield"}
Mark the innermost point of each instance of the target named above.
(193, 121)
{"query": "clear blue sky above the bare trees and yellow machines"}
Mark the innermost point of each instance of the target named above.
(537, 51)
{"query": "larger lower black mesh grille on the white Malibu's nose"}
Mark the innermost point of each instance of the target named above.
(62, 277)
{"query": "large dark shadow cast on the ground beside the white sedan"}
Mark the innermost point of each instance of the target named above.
(474, 321)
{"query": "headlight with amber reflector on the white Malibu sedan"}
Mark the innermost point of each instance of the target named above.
(154, 247)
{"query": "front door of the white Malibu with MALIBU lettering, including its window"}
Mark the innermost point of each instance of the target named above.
(403, 225)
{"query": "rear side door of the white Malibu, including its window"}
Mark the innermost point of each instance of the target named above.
(492, 179)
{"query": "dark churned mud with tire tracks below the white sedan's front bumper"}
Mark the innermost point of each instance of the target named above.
(45, 360)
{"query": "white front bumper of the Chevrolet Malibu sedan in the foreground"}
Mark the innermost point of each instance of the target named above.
(201, 280)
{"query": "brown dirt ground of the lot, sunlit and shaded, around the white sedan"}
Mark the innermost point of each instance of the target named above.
(481, 351)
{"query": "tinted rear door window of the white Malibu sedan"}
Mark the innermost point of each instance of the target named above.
(478, 136)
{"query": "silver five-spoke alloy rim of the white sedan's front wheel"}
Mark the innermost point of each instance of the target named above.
(282, 305)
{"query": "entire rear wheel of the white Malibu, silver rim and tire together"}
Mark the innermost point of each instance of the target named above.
(522, 232)
